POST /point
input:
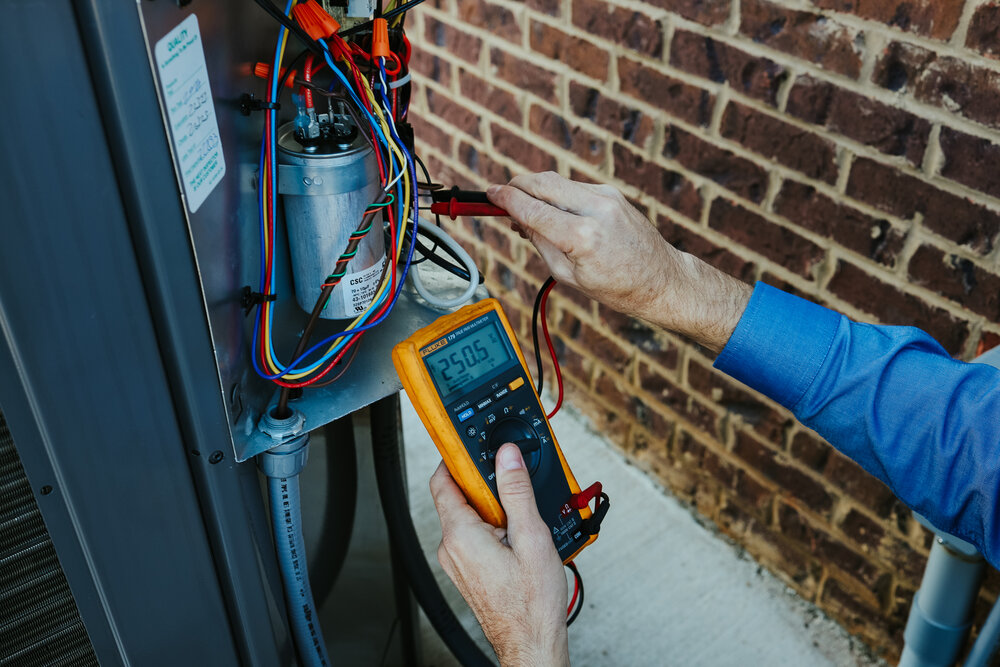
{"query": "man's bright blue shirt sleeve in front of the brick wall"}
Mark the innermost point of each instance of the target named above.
(888, 397)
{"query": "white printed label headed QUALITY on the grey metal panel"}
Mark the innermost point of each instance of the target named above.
(180, 63)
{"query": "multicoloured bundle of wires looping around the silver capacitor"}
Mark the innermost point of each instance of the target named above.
(377, 110)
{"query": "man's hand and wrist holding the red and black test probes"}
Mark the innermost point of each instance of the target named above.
(594, 240)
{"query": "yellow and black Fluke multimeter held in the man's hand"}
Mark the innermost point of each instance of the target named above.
(466, 377)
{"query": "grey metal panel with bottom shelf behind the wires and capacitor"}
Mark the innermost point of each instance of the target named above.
(215, 149)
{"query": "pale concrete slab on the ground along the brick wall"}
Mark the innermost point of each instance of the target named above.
(661, 589)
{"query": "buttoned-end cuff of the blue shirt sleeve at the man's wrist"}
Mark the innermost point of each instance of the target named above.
(779, 344)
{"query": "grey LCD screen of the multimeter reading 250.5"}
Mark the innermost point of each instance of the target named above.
(461, 363)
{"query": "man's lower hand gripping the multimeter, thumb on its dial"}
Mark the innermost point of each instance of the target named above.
(512, 579)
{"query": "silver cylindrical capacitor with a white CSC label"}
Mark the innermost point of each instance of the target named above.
(325, 196)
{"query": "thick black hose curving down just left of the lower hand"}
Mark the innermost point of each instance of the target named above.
(392, 493)
